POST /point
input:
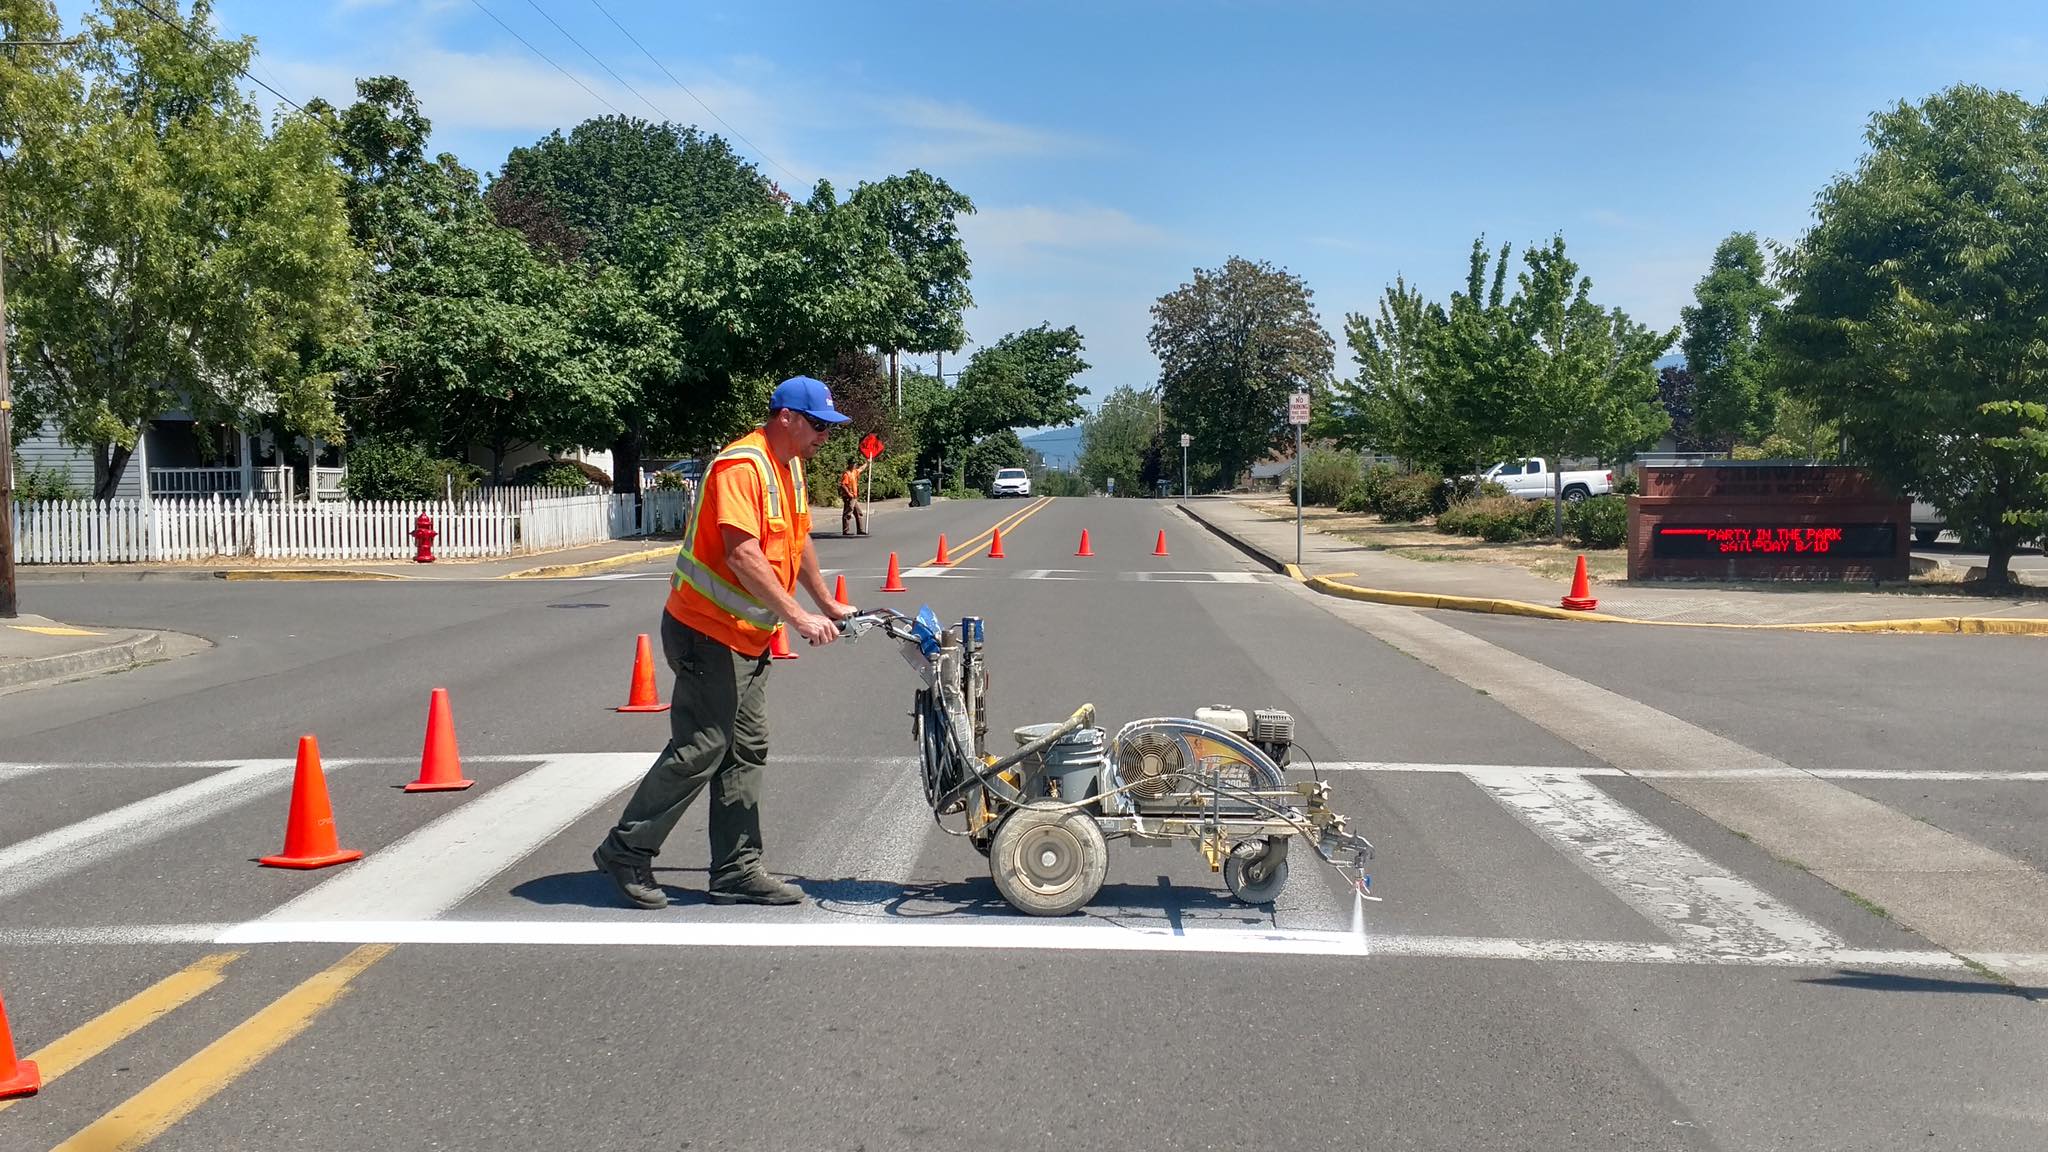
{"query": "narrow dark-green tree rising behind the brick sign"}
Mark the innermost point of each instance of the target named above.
(1725, 349)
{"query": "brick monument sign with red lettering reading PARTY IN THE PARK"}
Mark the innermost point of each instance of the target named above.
(1754, 522)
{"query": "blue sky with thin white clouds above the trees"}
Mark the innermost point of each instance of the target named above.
(1115, 147)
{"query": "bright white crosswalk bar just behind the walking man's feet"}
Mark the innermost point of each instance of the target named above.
(450, 860)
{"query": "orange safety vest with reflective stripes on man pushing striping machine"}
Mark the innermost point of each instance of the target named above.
(703, 591)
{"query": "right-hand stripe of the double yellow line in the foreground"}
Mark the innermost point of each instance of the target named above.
(175, 1096)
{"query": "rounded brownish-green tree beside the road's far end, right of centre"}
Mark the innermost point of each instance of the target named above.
(1232, 347)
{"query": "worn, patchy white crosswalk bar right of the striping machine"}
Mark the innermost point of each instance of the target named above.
(1701, 903)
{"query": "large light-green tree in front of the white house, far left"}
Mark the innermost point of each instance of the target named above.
(163, 247)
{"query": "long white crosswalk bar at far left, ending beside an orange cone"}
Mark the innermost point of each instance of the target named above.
(73, 848)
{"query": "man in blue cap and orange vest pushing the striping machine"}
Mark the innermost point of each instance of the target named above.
(736, 579)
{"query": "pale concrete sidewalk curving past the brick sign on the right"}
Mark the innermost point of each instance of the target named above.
(1273, 542)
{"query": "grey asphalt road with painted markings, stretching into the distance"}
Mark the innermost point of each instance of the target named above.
(1562, 958)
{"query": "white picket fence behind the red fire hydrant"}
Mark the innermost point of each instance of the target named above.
(212, 528)
